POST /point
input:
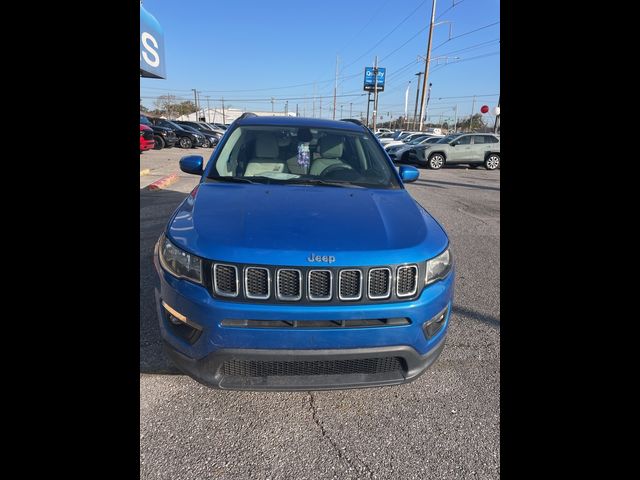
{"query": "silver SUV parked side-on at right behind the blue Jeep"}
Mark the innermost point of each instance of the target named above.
(474, 149)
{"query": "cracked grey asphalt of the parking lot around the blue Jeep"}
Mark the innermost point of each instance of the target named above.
(446, 424)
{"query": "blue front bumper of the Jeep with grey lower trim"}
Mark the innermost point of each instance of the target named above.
(244, 358)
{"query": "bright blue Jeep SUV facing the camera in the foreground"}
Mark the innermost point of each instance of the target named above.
(300, 262)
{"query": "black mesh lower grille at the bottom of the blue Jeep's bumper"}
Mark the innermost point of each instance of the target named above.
(255, 368)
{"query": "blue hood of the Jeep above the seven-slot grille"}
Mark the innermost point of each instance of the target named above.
(283, 225)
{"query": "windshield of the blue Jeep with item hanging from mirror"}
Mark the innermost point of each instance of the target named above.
(307, 156)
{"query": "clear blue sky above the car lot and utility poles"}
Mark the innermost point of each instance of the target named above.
(250, 51)
